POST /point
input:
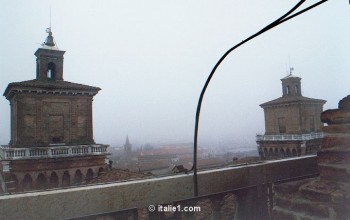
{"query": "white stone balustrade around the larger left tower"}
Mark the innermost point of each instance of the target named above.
(7, 153)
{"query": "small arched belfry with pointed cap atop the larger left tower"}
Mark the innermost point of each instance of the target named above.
(49, 60)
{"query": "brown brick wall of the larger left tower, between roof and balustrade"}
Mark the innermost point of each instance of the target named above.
(38, 120)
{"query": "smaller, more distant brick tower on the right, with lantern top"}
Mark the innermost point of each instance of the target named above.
(292, 123)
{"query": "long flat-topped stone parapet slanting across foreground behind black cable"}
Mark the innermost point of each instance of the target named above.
(68, 203)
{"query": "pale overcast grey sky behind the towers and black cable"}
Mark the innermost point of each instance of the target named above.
(151, 59)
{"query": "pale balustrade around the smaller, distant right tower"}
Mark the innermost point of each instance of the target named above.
(290, 137)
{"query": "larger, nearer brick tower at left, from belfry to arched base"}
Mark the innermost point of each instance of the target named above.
(52, 141)
